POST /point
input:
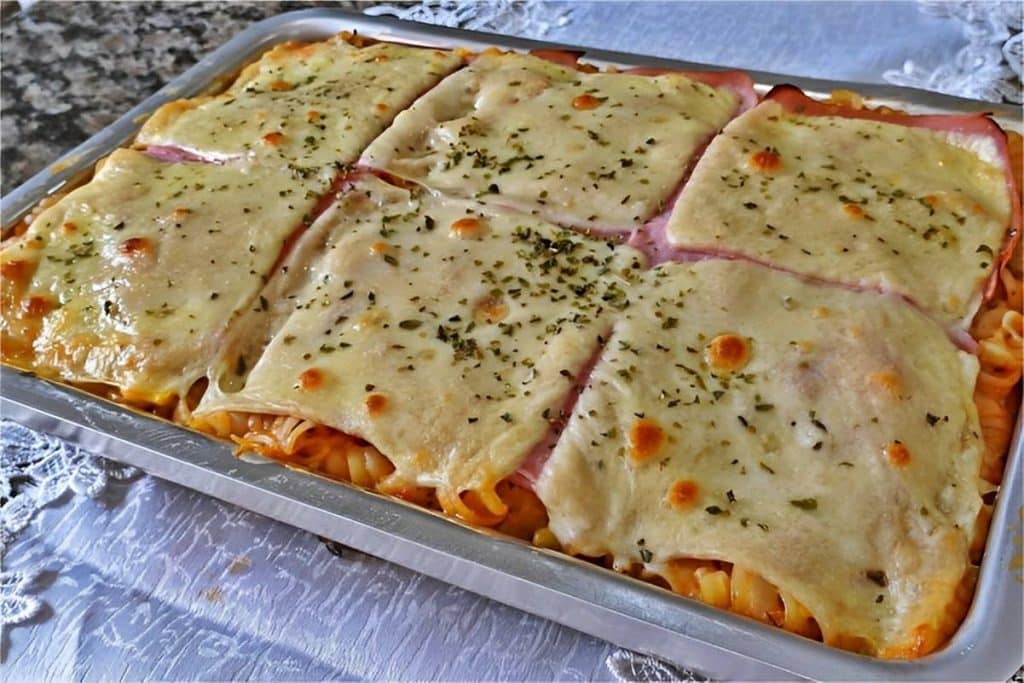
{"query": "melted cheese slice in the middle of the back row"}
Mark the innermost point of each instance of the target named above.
(601, 151)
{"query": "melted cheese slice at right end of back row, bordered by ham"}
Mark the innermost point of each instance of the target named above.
(861, 202)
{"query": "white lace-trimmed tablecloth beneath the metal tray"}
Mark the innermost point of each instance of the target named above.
(109, 574)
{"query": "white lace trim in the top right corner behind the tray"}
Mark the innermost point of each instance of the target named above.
(989, 67)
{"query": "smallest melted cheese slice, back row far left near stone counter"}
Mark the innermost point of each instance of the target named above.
(315, 105)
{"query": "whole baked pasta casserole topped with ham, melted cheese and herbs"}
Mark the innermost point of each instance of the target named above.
(764, 352)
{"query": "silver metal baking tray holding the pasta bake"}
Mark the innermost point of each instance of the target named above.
(617, 609)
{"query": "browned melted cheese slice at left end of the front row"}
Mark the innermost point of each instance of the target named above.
(133, 279)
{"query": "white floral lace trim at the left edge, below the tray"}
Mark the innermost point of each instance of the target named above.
(36, 471)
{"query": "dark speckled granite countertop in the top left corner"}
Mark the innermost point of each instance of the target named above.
(71, 69)
